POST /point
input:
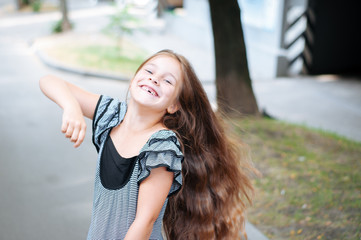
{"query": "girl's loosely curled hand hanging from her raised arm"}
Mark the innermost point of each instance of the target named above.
(74, 126)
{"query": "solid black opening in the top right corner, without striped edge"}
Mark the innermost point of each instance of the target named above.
(333, 42)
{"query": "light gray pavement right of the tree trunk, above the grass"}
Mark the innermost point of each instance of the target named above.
(330, 103)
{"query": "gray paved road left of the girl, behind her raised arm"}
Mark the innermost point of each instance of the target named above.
(46, 185)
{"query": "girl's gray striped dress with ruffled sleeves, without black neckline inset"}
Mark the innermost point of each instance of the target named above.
(114, 210)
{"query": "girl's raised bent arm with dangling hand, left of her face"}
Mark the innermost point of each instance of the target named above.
(75, 102)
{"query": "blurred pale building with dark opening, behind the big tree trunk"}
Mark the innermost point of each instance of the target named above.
(290, 37)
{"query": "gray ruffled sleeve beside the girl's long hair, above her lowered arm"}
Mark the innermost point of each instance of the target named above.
(162, 150)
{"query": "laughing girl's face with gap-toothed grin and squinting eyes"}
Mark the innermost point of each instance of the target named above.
(157, 84)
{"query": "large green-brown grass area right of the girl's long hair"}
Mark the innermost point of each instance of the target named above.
(311, 183)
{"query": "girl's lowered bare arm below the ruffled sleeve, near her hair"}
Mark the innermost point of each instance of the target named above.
(153, 192)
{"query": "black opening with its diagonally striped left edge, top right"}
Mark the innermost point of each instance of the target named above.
(329, 36)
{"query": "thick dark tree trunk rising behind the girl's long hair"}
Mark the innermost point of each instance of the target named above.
(234, 88)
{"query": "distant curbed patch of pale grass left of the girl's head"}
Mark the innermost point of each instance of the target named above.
(109, 58)
